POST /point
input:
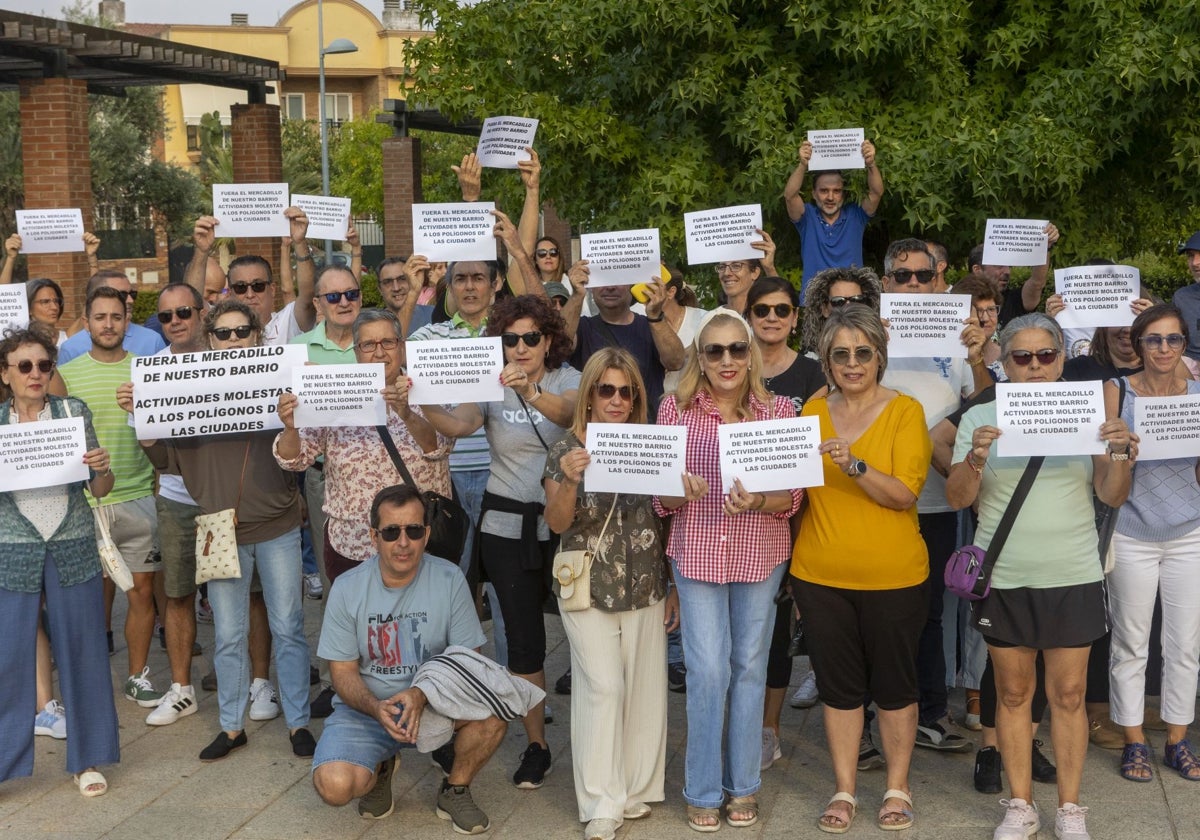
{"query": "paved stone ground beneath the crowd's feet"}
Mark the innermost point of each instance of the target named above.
(263, 793)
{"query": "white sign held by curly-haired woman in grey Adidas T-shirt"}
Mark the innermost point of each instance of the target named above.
(455, 370)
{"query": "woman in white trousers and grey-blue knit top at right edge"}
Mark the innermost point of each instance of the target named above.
(1157, 550)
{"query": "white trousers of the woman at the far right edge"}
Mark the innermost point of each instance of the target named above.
(1171, 569)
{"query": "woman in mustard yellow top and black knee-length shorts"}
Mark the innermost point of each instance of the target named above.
(860, 565)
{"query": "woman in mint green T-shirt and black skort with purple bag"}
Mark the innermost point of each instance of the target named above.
(1047, 586)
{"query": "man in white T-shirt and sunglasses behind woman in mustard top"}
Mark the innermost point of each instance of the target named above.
(940, 385)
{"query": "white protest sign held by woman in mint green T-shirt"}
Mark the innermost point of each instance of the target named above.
(1049, 418)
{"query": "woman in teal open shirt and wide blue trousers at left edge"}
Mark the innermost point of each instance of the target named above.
(49, 551)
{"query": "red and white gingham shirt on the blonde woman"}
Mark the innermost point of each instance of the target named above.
(705, 544)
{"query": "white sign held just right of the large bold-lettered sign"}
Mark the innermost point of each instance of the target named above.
(339, 395)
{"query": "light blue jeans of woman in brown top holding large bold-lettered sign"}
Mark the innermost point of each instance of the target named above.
(279, 569)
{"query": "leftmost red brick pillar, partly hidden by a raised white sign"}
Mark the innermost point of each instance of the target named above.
(58, 173)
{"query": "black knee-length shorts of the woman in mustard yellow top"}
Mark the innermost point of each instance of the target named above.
(863, 643)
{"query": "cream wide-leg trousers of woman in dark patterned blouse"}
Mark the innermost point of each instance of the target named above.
(619, 709)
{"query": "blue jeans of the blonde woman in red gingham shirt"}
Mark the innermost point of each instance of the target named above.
(727, 641)
